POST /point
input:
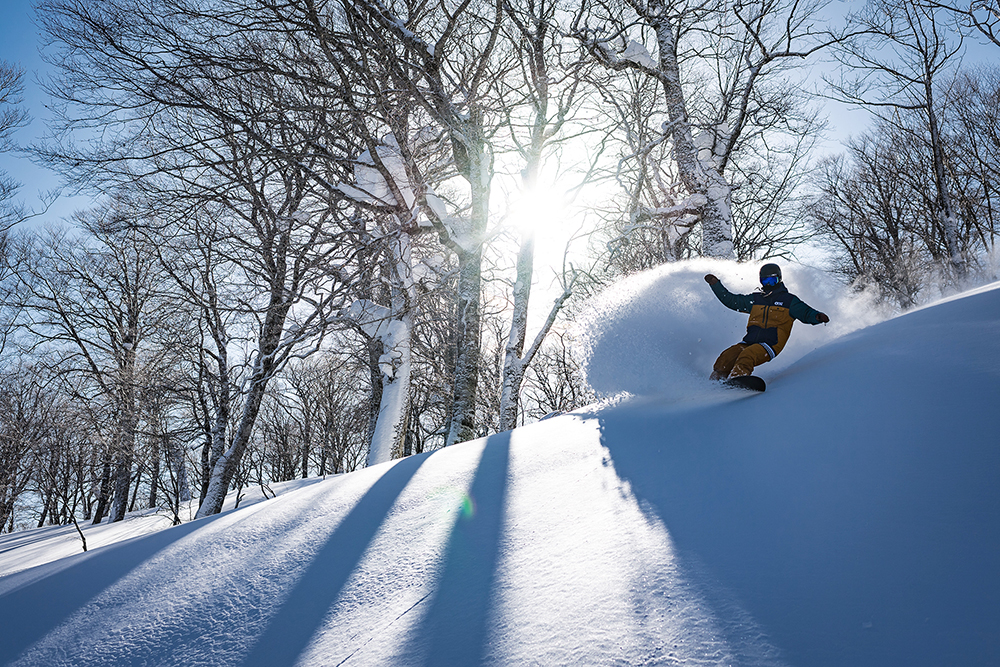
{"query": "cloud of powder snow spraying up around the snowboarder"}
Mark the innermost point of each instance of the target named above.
(658, 332)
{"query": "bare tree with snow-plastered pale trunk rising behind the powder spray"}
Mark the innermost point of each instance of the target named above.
(728, 93)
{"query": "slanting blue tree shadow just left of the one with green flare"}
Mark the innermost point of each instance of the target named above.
(288, 633)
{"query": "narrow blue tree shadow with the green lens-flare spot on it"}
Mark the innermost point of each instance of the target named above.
(455, 629)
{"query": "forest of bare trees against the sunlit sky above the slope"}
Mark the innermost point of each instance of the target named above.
(304, 254)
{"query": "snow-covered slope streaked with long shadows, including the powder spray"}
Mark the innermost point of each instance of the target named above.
(848, 516)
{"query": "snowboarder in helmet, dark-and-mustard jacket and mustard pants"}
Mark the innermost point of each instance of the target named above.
(772, 312)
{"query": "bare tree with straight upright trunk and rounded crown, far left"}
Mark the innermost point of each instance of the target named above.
(92, 300)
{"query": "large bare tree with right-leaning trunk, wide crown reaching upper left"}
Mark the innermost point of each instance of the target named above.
(203, 139)
